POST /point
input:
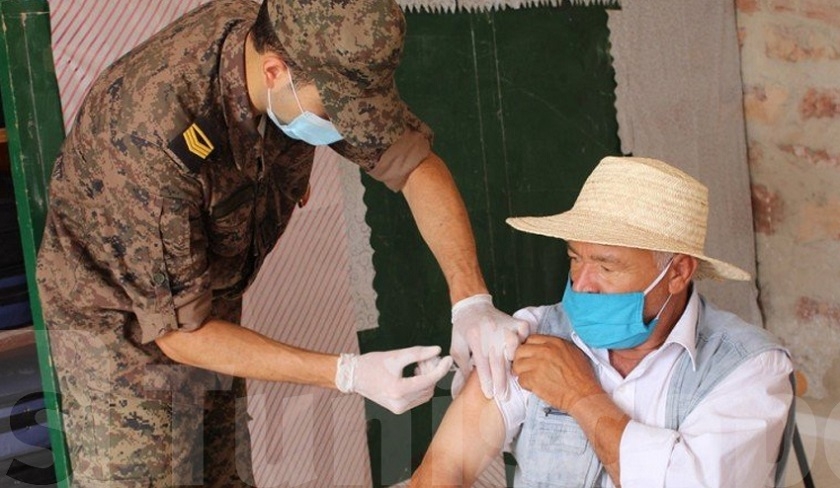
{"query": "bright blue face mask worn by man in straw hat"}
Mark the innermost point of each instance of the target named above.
(611, 320)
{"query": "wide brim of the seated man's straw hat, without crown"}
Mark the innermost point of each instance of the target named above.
(575, 226)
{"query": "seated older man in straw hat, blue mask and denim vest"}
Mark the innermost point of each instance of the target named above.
(633, 379)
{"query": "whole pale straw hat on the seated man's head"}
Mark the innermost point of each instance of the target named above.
(640, 203)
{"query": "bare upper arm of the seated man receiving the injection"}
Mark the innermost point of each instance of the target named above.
(469, 438)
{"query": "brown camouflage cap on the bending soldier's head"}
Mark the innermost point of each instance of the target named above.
(352, 49)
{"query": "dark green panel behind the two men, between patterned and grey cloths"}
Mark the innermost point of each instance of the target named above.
(522, 104)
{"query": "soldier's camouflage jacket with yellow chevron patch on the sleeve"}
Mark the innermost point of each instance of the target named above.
(170, 190)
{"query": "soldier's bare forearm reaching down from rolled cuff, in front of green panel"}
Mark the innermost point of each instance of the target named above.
(442, 219)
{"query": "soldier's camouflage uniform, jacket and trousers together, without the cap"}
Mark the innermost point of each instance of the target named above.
(166, 197)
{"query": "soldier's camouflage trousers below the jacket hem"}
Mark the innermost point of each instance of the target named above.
(119, 441)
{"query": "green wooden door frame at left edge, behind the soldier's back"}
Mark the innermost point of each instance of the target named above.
(35, 128)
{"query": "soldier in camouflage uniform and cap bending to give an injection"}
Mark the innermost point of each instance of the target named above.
(172, 188)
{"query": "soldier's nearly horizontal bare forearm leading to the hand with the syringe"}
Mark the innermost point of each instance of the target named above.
(227, 348)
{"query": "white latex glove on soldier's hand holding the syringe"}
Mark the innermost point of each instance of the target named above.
(378, 377)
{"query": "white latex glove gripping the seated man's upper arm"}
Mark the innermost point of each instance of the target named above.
(486, 338)
